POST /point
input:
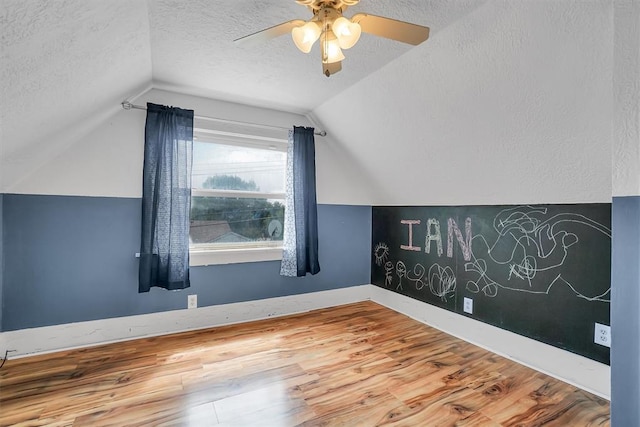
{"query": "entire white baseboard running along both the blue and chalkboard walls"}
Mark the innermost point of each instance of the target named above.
(584, 373)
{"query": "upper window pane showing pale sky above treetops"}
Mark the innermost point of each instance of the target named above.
(228, 167)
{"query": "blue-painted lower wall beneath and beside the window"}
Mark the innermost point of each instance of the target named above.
(71, 259)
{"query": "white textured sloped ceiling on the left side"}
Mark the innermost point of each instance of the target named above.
(66, 65)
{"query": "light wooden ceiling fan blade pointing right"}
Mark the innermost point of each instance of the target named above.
(391, 29)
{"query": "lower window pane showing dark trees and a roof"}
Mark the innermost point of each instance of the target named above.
(235, 221)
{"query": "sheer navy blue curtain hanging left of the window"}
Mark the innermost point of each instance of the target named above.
(166, 198)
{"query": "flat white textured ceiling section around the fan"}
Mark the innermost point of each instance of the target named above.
(192, 47)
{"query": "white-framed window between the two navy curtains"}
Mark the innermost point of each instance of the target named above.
(238, 191)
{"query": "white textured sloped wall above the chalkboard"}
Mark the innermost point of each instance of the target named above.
(510, 104)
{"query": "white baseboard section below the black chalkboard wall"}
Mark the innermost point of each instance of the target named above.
(587, 374)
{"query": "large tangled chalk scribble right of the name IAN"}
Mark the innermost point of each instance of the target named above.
(528, 242)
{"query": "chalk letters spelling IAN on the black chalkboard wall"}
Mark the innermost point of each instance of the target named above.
(433, 235)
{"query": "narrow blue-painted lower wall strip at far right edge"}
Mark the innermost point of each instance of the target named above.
(625, 317)
